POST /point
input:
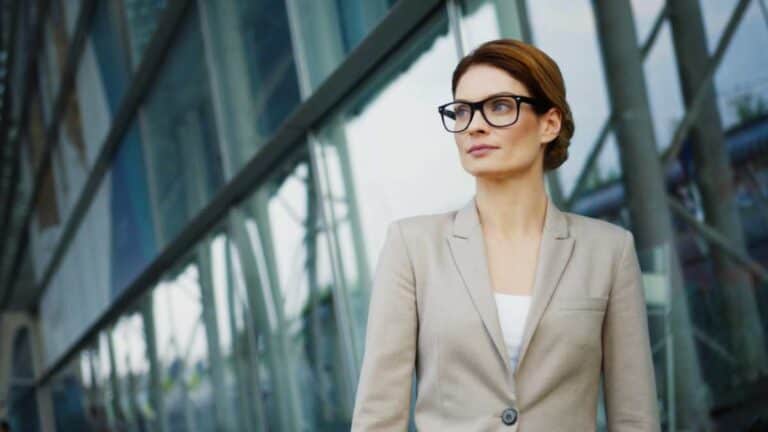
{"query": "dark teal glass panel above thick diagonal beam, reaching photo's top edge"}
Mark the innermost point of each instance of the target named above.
(248, 51)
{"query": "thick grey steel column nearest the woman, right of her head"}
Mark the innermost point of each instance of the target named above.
(646, 194)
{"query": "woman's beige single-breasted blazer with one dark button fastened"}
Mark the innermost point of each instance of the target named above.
(432, 310)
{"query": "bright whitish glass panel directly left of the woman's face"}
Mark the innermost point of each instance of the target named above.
(389, 126)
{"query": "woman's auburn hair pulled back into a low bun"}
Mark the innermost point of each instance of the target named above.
(539, 74)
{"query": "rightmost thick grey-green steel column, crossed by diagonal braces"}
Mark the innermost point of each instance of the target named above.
(714, 179)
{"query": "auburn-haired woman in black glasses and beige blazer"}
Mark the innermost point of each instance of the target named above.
(508, 309)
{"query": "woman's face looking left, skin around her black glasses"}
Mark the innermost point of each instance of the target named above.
(518, 148)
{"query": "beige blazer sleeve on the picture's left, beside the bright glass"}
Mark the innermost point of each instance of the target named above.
(383, 397)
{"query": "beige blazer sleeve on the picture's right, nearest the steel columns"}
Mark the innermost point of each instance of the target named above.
(628, 372)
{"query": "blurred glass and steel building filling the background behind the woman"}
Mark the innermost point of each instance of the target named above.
(195, 193)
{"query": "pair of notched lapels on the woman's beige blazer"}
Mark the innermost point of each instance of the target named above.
(468, 248)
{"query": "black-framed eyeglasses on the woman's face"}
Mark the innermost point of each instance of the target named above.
(499, 110)
